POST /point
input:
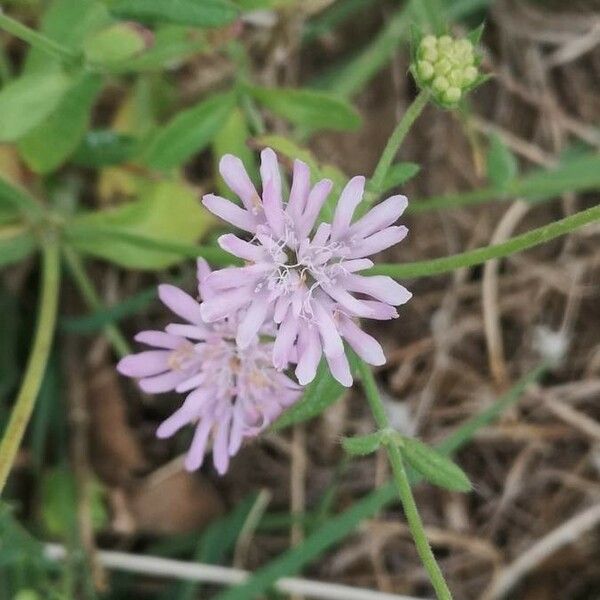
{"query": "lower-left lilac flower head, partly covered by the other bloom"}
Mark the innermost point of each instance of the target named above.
(232, 392)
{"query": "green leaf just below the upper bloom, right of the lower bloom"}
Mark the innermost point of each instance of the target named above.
(321, 393)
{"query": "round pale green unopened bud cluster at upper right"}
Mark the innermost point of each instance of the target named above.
(446, 66)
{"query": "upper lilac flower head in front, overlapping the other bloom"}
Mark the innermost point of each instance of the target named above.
(300, 275)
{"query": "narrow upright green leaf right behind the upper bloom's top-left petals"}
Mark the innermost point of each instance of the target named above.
(232, 138)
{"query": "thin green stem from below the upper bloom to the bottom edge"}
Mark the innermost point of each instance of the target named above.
(403, 486)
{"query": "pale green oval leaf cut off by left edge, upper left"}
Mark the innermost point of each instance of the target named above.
(28, 100)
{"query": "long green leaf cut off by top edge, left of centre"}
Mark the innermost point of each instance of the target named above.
(207, 13)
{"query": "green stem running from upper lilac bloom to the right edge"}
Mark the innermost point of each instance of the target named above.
(518, 243)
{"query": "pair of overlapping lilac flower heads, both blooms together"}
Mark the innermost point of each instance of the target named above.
(297, 297)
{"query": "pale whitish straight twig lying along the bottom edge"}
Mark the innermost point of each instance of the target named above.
(154, 566)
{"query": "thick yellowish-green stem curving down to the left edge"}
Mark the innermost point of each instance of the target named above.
(36, 366)
